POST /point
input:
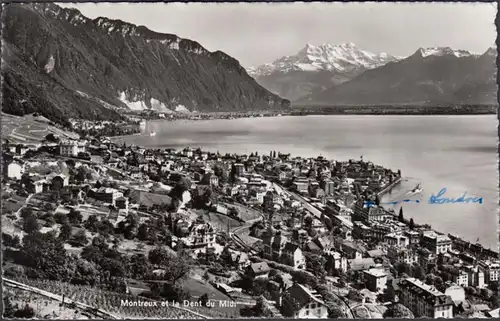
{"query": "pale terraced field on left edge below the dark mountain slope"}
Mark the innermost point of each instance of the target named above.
(29, 129)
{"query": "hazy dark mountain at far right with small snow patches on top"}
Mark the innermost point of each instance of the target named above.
(438, 76)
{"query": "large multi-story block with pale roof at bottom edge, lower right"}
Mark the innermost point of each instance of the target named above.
(425, 300)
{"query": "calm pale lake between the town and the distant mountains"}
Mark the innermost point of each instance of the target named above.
(458, 153)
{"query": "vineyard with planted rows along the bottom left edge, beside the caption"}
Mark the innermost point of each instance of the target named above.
(112, 302)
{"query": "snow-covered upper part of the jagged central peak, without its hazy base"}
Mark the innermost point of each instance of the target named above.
(340, 58)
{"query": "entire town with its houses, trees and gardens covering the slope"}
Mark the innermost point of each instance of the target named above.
(94, 222)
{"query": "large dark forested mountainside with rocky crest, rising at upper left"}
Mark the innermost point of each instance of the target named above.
(64, 65)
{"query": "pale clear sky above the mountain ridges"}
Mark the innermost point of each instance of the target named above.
(258, 33)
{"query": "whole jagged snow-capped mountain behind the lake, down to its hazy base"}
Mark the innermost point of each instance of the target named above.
(315, 68)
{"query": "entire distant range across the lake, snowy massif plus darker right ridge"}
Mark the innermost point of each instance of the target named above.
(346, 75)
